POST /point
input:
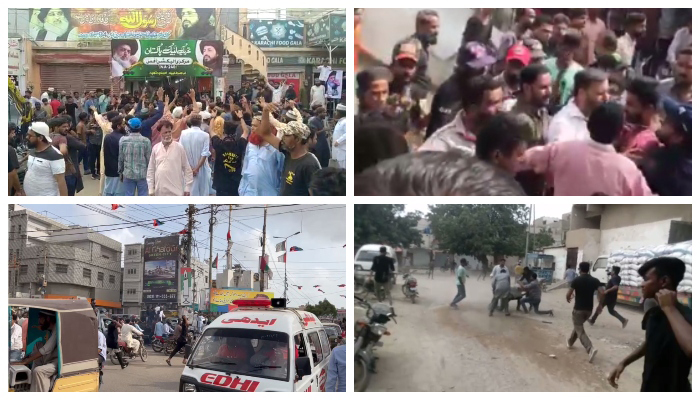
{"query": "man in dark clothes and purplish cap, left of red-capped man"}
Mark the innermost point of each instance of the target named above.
(473, 60)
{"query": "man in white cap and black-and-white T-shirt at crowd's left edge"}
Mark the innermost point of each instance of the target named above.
(45, 166)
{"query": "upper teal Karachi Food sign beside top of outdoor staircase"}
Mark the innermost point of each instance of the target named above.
(277, 33)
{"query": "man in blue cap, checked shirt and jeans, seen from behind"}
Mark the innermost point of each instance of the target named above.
(134, 153)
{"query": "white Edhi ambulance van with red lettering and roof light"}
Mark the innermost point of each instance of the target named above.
(248, 350)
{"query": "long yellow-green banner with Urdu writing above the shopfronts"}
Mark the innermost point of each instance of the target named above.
(83, 24)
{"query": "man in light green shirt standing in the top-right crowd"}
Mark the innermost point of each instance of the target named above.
(563, 68)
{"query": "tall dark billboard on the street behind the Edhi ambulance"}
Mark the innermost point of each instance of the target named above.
(160, 273)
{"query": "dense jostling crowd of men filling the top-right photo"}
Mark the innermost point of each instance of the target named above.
(562, 104)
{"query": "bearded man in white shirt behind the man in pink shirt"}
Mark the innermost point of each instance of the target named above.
(570, 123)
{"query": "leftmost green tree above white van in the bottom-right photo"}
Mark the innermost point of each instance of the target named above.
(386, 224)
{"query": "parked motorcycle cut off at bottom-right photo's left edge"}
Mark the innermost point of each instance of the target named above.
(369, 331)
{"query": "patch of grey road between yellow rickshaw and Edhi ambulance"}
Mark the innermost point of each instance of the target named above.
(154, 375)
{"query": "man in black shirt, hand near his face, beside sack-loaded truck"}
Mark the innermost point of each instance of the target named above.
(667, 348)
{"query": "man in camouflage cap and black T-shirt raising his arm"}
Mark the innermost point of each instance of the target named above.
(299, 164)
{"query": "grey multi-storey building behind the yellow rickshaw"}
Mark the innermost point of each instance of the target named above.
(60, 262)
